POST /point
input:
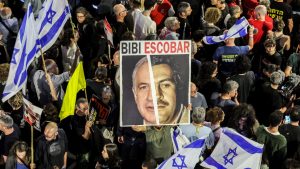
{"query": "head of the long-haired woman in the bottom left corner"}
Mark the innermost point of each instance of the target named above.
(19, 150)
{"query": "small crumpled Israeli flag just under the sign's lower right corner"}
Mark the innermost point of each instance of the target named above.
(178, 139)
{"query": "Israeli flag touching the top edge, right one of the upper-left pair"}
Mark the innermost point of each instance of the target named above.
(51, 20)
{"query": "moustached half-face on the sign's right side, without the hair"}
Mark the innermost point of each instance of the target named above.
(165, 92)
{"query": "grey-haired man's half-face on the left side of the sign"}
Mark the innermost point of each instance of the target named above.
(142, 94)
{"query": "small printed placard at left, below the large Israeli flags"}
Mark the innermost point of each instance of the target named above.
(32, 114)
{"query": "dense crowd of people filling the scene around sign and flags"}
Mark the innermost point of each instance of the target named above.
(249, 84)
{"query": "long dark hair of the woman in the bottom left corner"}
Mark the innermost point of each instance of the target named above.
(11, 161)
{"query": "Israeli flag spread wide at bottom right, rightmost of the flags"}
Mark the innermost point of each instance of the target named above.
(234, 151)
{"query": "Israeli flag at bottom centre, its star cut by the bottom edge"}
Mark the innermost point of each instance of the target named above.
(187, 157)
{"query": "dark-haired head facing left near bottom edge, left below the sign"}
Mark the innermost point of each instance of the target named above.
(110, 153)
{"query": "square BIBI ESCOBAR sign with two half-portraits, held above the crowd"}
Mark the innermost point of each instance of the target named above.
(155, 79)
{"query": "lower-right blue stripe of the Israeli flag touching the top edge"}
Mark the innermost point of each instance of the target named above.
(54, 29)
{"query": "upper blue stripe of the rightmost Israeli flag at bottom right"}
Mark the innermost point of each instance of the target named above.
(244, 144)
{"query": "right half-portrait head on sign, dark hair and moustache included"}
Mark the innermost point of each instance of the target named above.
(168, 83)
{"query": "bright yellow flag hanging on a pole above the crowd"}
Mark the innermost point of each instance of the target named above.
(76, 83)
